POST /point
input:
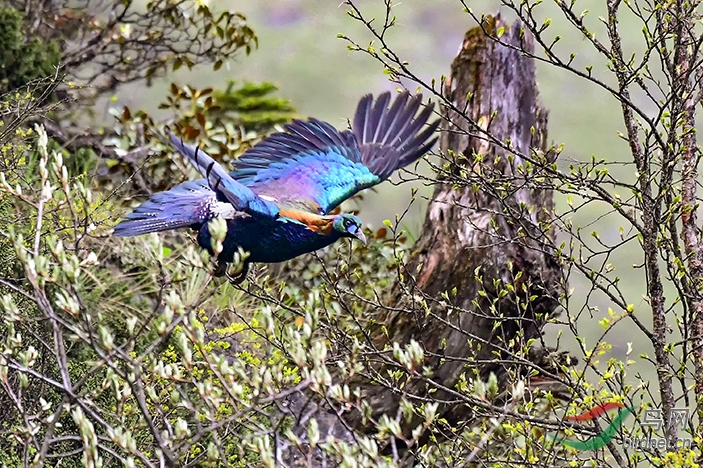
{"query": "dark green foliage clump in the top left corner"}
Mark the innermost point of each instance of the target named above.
(23, 59)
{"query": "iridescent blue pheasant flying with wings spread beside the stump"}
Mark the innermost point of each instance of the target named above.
(277, 200)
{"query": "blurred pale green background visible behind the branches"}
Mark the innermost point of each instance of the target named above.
(299, 51)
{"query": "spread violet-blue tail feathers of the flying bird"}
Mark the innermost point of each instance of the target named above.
(184, 205)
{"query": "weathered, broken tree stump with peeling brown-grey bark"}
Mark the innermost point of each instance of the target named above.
(501, 229)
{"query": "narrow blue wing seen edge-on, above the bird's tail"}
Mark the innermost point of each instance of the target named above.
(242, 198)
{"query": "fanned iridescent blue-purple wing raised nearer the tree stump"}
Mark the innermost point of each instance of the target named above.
(314, 166)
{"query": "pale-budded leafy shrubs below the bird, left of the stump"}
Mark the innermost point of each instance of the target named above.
(158, 357)
